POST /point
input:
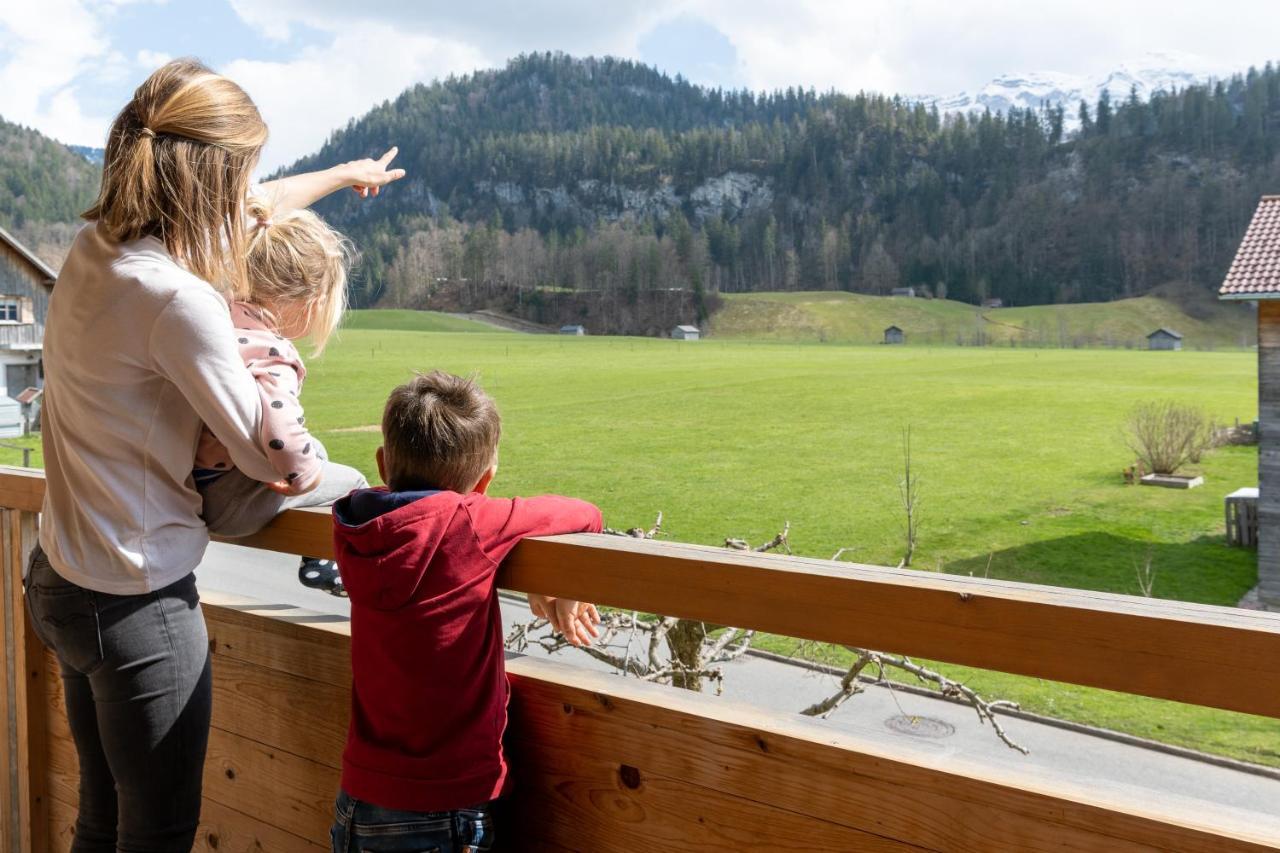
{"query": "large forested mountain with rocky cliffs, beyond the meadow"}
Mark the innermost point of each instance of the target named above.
(607, 177)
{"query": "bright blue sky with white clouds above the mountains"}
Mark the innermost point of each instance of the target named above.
(68, 66)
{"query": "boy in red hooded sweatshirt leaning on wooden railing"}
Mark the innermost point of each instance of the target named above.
(419, 559)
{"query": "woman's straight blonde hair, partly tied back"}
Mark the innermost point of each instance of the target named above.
(177, 168)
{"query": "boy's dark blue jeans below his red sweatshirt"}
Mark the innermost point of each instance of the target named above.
(363, 828)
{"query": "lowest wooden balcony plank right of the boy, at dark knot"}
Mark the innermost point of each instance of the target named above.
(575, 799)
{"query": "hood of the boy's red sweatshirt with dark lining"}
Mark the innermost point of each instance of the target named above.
(386, 541)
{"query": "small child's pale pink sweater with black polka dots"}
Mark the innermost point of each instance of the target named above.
(278, 370)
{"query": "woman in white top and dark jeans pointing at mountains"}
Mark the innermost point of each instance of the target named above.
(139, 354)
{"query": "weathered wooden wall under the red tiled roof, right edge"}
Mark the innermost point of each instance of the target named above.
(1269, 453)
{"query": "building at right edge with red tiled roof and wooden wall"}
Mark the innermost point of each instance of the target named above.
(1255, 275)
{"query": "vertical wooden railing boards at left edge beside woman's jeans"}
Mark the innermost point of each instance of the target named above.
(24, 773)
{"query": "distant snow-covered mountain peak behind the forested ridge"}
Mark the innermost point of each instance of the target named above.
(1155, 72)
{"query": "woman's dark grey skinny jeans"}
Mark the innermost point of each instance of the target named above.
(139, 697)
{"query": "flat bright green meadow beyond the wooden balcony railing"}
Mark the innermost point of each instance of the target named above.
(1020, 454)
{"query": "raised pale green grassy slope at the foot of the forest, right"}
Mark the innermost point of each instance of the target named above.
(854, 318)
